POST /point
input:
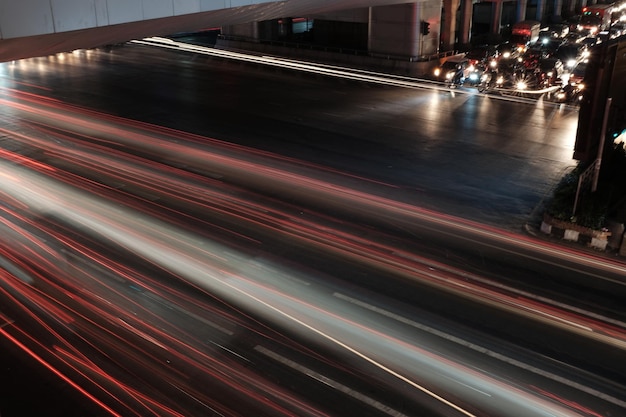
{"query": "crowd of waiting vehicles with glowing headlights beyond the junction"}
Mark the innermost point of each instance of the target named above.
(536, 61)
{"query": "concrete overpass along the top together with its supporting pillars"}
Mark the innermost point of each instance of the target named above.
(30, 28)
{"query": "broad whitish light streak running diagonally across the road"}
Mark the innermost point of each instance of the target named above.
(177, 252)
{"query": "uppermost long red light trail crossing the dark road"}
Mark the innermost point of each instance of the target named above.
(200, 158)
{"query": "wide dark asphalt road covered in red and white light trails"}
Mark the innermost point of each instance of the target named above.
(306, 230)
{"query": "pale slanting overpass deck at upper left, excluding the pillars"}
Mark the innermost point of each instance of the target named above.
(24, 37)
